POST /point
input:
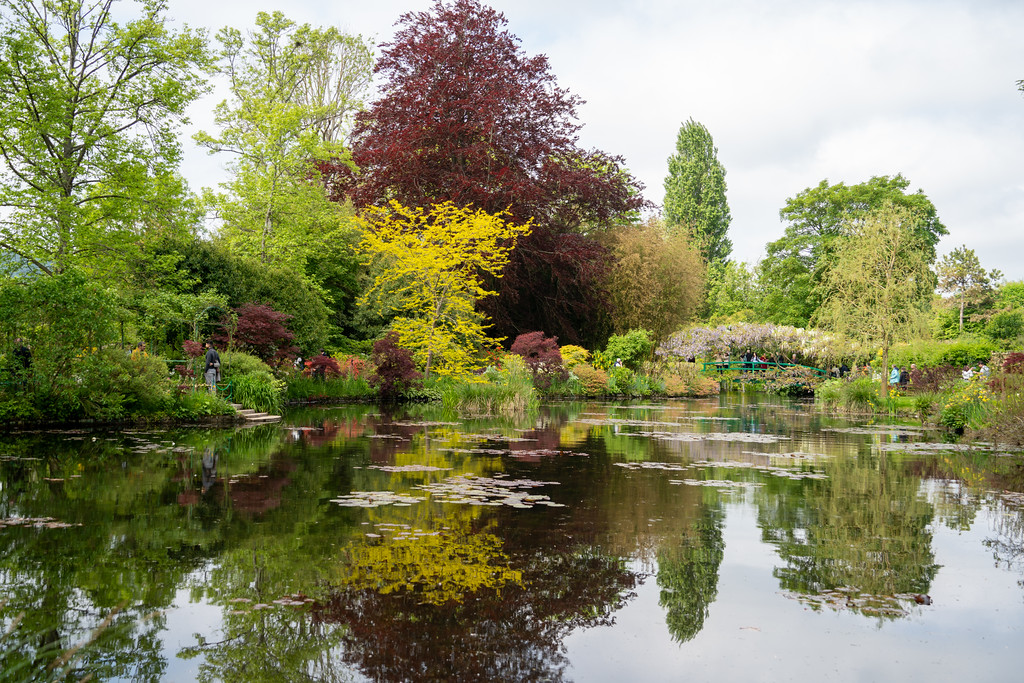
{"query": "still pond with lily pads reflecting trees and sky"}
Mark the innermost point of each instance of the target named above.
(738, 539)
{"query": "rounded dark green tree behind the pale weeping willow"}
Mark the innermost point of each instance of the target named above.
(796, 265)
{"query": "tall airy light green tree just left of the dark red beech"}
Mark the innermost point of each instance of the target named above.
(293, 93)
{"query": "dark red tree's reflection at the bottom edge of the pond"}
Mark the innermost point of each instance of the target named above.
(516, 634)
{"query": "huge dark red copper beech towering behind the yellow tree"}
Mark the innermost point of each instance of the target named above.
(466, 117)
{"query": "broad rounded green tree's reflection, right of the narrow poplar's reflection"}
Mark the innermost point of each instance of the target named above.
(865, 530)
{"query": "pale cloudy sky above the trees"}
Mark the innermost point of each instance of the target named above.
(793, 92)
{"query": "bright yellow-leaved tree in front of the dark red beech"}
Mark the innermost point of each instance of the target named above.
(431, 264)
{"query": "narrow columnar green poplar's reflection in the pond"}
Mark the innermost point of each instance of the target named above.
(688, 575)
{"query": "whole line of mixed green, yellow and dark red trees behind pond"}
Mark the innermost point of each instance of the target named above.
(355, 217)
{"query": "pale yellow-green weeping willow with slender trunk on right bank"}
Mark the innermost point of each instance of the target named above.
(880, 284)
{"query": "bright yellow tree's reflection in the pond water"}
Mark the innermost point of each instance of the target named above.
(439, 567)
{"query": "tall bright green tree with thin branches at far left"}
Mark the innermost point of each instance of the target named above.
(90, 108)
